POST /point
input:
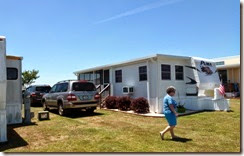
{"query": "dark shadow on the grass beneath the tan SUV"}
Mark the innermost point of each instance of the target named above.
(76, 113)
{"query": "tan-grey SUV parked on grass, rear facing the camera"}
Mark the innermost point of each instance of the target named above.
(71, 94)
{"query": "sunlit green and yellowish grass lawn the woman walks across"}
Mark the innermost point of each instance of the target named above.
(108, 131)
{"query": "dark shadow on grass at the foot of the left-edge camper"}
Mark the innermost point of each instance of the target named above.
(14, 139)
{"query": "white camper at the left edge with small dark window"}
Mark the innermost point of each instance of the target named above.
(10, 90)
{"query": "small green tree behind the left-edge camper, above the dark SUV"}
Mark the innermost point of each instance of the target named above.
(29, 77)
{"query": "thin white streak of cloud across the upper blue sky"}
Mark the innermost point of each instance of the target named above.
(141, 9)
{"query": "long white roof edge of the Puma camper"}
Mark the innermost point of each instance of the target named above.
(129, 61)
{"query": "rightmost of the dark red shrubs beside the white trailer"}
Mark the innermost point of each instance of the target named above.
(140, 105)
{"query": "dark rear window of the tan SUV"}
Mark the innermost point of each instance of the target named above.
(83, 86)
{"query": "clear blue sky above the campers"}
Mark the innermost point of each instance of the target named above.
(58, 37)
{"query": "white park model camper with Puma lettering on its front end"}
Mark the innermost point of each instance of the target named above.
(195, 80)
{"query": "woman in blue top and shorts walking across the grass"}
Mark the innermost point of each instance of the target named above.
(170, 112)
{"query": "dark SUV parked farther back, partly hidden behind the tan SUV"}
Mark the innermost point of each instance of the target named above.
(35, 93)
